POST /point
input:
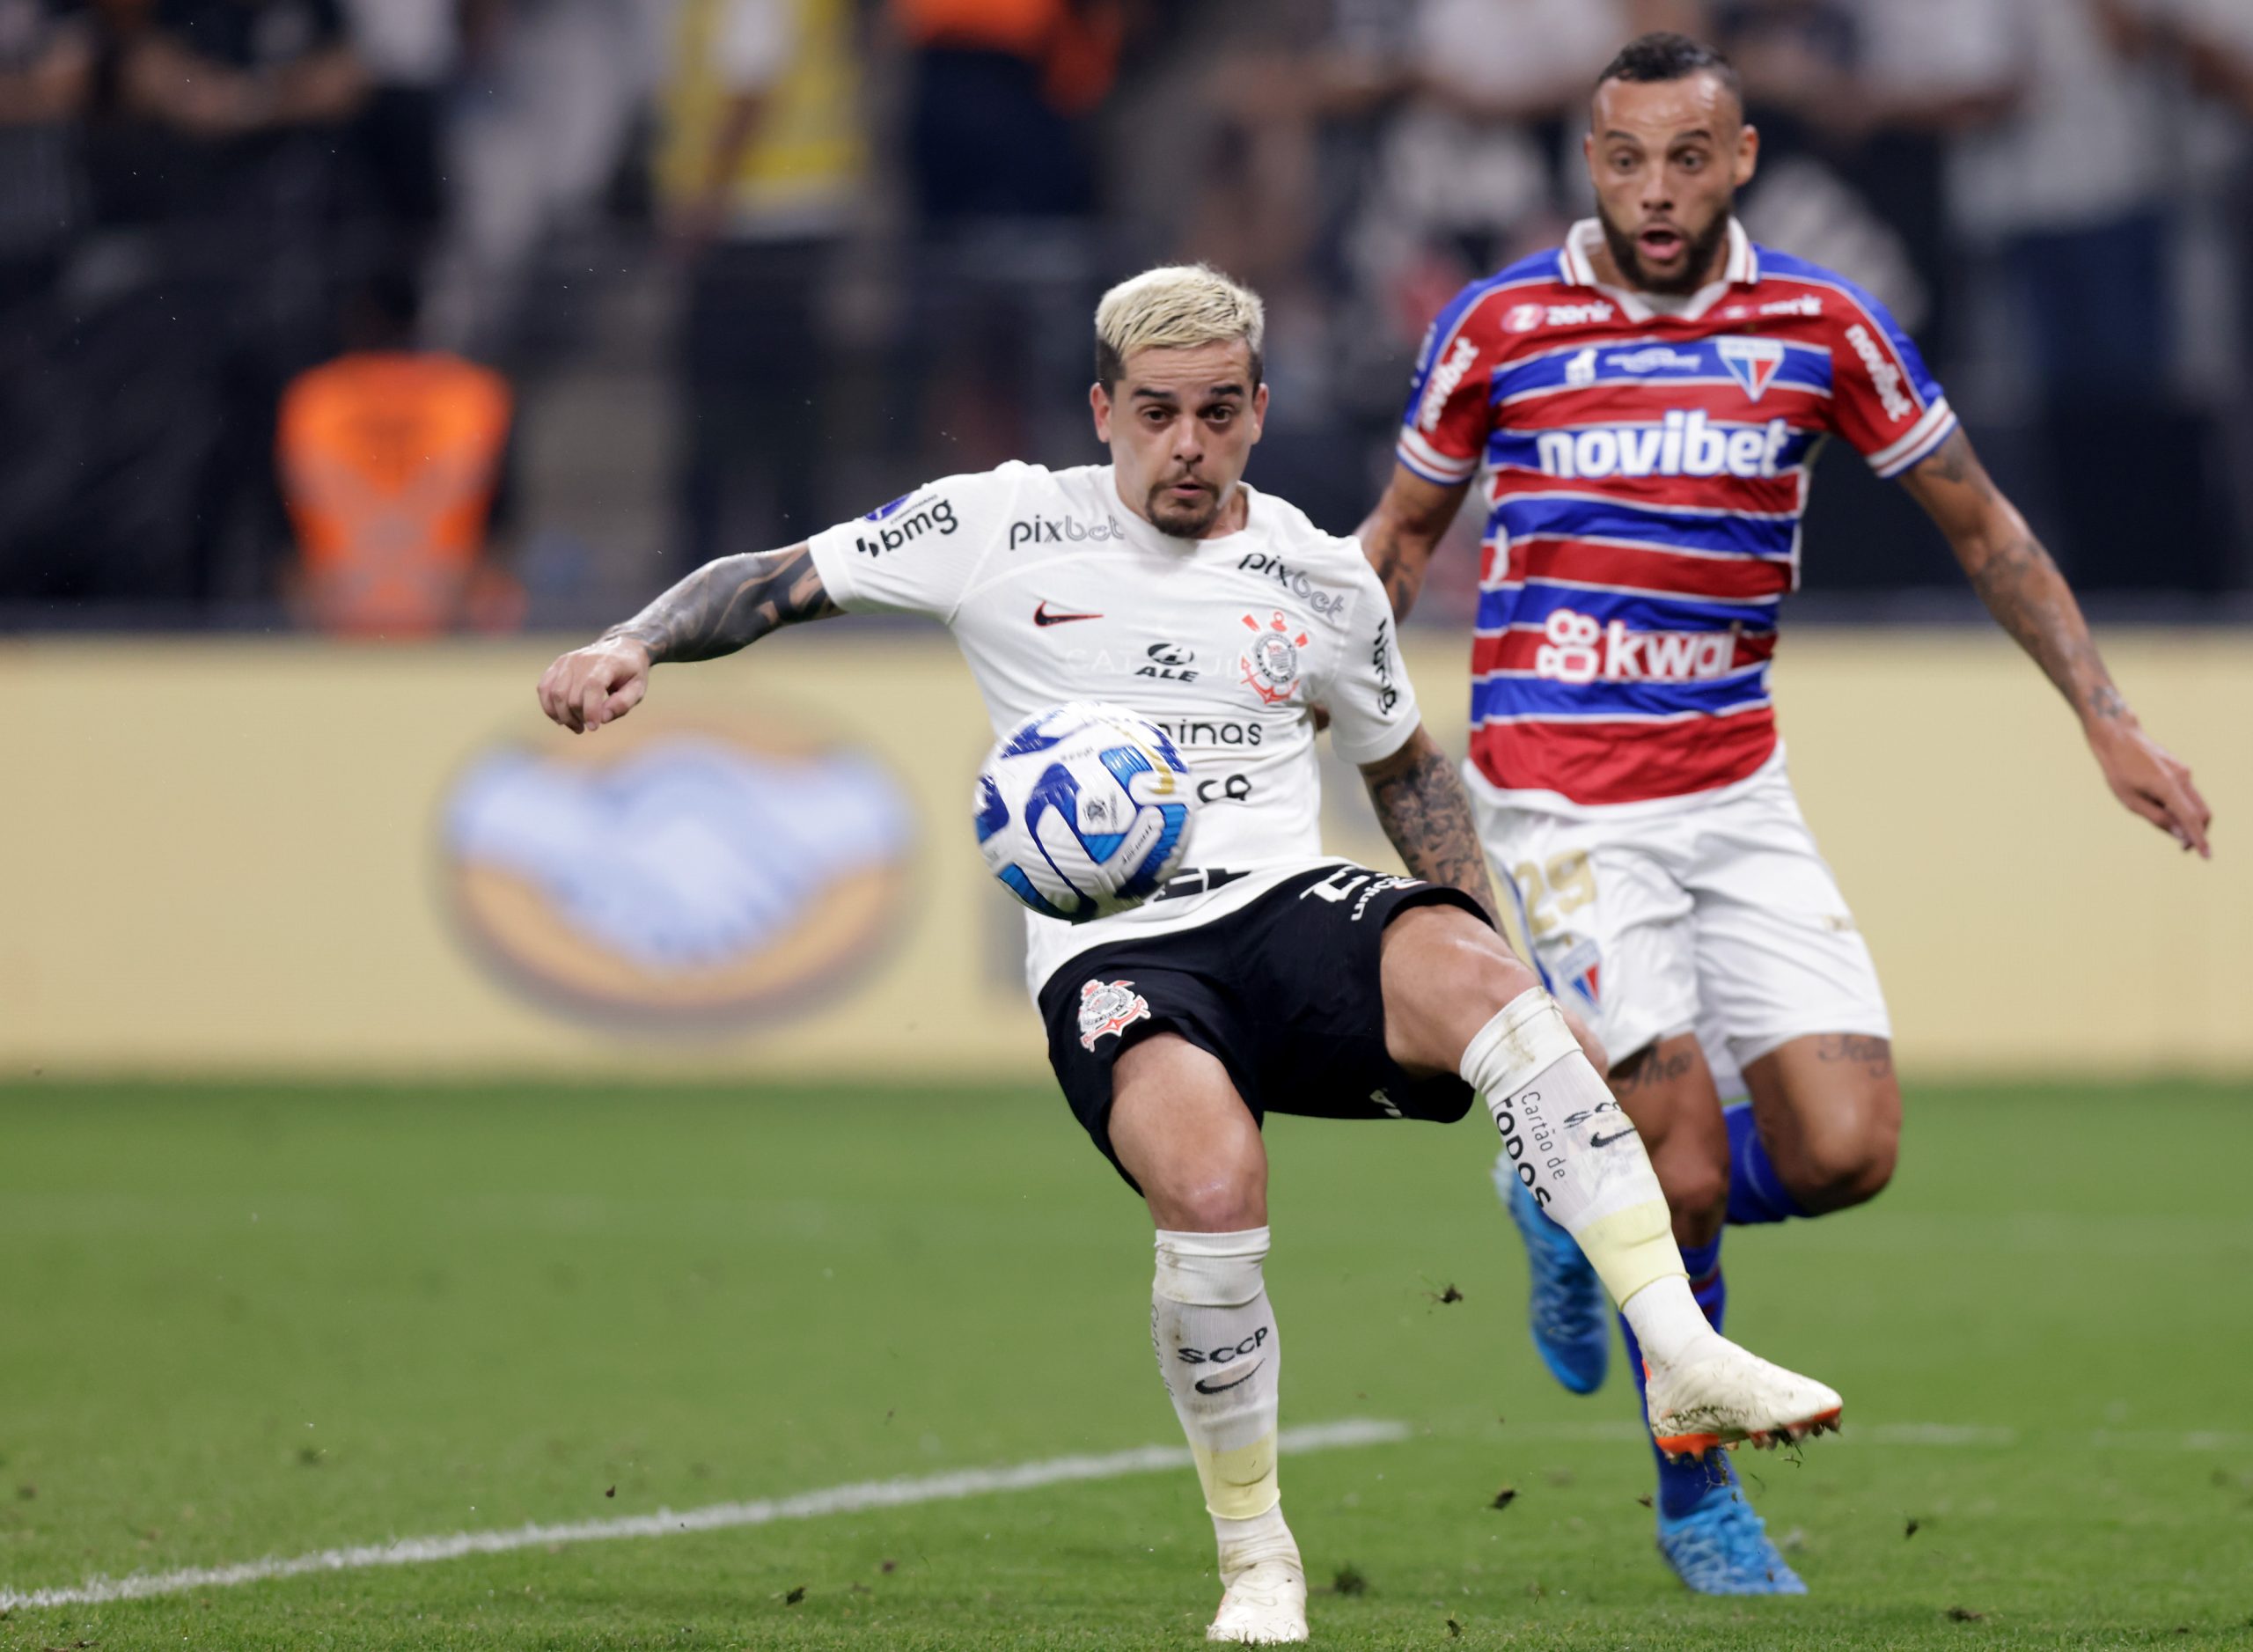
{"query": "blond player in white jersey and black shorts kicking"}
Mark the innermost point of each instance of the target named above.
(1270, 977)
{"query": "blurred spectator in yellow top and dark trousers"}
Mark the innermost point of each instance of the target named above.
(760, 175)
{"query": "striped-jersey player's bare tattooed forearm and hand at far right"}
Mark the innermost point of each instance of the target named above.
(2031, 601)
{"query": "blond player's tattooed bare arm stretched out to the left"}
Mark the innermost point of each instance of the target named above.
(722, 607)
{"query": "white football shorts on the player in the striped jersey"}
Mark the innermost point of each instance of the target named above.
(1716, 918)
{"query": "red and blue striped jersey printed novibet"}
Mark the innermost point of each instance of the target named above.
(1646, 470)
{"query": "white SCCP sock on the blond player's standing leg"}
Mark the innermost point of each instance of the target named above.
(1222, 1367)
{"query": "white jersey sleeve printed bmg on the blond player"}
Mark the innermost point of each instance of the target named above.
(923, 551)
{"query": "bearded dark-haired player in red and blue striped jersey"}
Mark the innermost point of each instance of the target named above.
(1641, 411)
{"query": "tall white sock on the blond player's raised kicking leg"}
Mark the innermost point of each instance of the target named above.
(1585, 1164)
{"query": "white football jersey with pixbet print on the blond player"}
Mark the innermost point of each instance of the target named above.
(1056, 592)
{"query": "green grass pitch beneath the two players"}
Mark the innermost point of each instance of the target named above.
(269, 1320)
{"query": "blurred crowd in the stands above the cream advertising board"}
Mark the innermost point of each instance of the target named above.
(407, 317)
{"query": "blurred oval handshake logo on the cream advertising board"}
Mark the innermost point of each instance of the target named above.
(682, 873)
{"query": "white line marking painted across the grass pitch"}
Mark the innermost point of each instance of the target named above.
(839, 1500)
